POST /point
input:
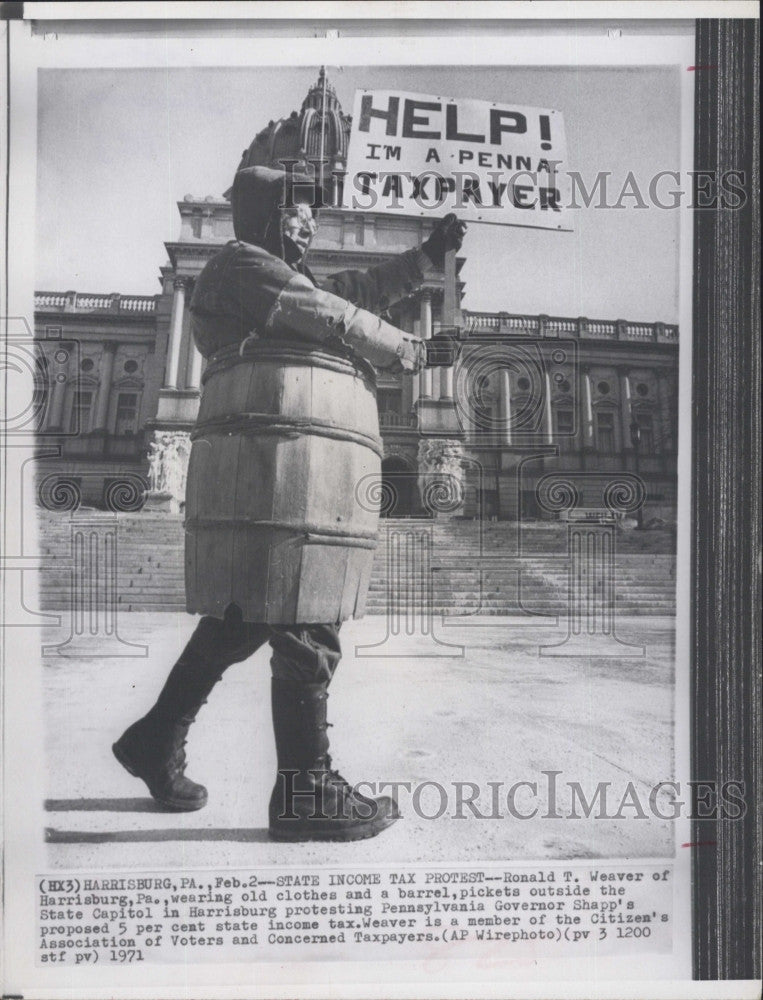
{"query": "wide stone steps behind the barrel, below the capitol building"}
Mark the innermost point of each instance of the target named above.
(493, 568)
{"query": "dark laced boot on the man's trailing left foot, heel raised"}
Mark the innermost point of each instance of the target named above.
(154, 751)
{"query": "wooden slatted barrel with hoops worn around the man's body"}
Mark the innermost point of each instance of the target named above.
(278, 519)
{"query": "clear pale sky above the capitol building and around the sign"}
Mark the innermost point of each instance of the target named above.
(117, 149)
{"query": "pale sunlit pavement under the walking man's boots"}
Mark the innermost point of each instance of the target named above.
(481, 705)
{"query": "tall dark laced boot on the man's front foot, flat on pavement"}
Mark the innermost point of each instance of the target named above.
(310, 800)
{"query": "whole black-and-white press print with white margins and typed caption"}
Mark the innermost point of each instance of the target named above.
(348, 507)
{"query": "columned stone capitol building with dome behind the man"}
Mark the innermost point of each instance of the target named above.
(533, 402)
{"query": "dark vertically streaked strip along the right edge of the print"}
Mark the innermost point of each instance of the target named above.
(726, 633)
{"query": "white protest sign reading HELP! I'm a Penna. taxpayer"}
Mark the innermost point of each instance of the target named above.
(490, 162)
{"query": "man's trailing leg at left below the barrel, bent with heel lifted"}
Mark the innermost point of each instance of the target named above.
(153, 747)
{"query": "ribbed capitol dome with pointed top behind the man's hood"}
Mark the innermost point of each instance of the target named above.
(319, 128)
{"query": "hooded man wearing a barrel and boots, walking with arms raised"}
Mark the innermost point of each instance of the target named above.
(278, 544)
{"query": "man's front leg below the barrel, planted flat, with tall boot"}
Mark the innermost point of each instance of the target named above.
(311, 801)
